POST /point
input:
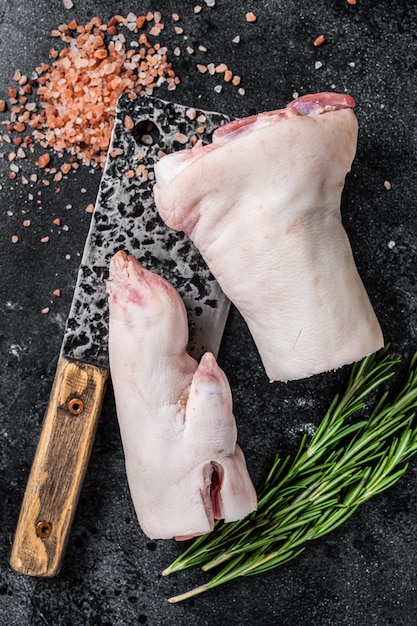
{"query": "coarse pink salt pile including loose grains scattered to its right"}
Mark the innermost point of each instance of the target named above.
(67, 106)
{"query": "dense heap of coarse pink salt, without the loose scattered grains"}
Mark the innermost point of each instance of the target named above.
(77, 92)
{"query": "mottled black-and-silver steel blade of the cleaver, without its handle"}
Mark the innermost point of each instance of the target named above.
(125, 218)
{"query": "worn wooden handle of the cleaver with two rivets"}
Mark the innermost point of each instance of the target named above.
(58, 468)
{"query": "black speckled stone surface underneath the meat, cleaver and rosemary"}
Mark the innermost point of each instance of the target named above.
(365, 572)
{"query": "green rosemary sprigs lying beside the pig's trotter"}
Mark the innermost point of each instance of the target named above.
(343, 465)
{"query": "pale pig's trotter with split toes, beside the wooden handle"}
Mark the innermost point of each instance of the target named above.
(178, 431)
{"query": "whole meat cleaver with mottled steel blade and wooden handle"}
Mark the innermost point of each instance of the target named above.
(124, 218)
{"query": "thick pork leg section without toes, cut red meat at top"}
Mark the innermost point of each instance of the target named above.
(262, 204)
